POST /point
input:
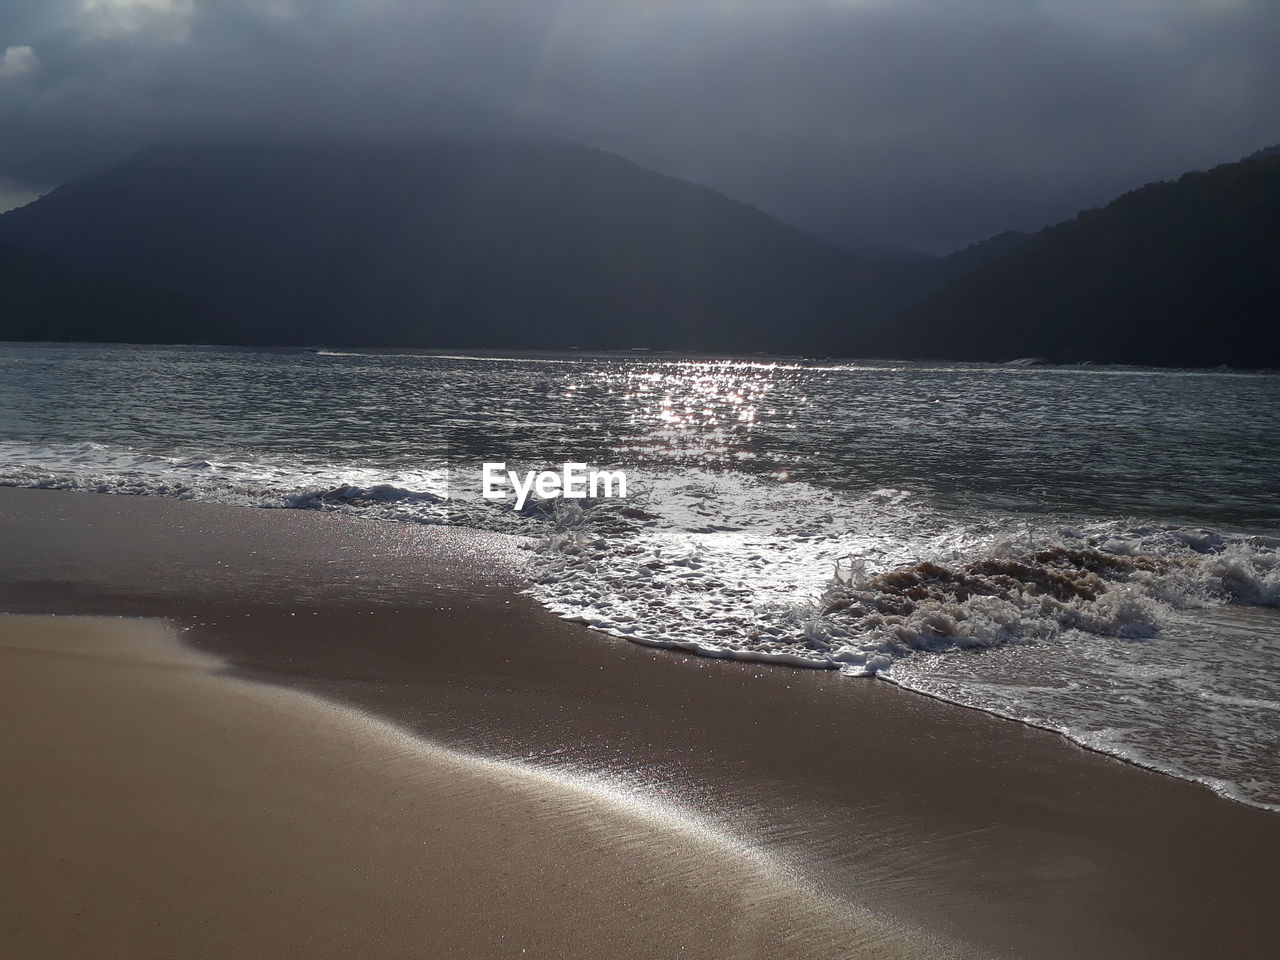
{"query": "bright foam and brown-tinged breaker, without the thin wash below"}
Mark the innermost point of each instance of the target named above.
(779, 592)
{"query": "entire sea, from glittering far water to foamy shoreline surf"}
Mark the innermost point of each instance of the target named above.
(1095, 551)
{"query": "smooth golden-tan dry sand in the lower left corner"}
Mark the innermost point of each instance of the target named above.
(156, 808)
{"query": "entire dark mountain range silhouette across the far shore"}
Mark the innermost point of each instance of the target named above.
(552, 245)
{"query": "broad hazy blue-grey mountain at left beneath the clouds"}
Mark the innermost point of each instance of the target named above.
(435, 245)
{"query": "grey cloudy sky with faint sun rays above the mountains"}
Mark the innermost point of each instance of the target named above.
(922, 125)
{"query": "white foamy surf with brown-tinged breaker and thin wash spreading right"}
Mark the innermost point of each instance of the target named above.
(1135, 641)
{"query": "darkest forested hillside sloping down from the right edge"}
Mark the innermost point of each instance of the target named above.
(1185, 273)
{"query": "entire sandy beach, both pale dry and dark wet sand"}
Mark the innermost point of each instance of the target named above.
(234, 774)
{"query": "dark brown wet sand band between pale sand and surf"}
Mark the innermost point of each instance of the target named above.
(964, 826)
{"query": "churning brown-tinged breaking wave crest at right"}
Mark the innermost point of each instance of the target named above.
(1023, 596)
